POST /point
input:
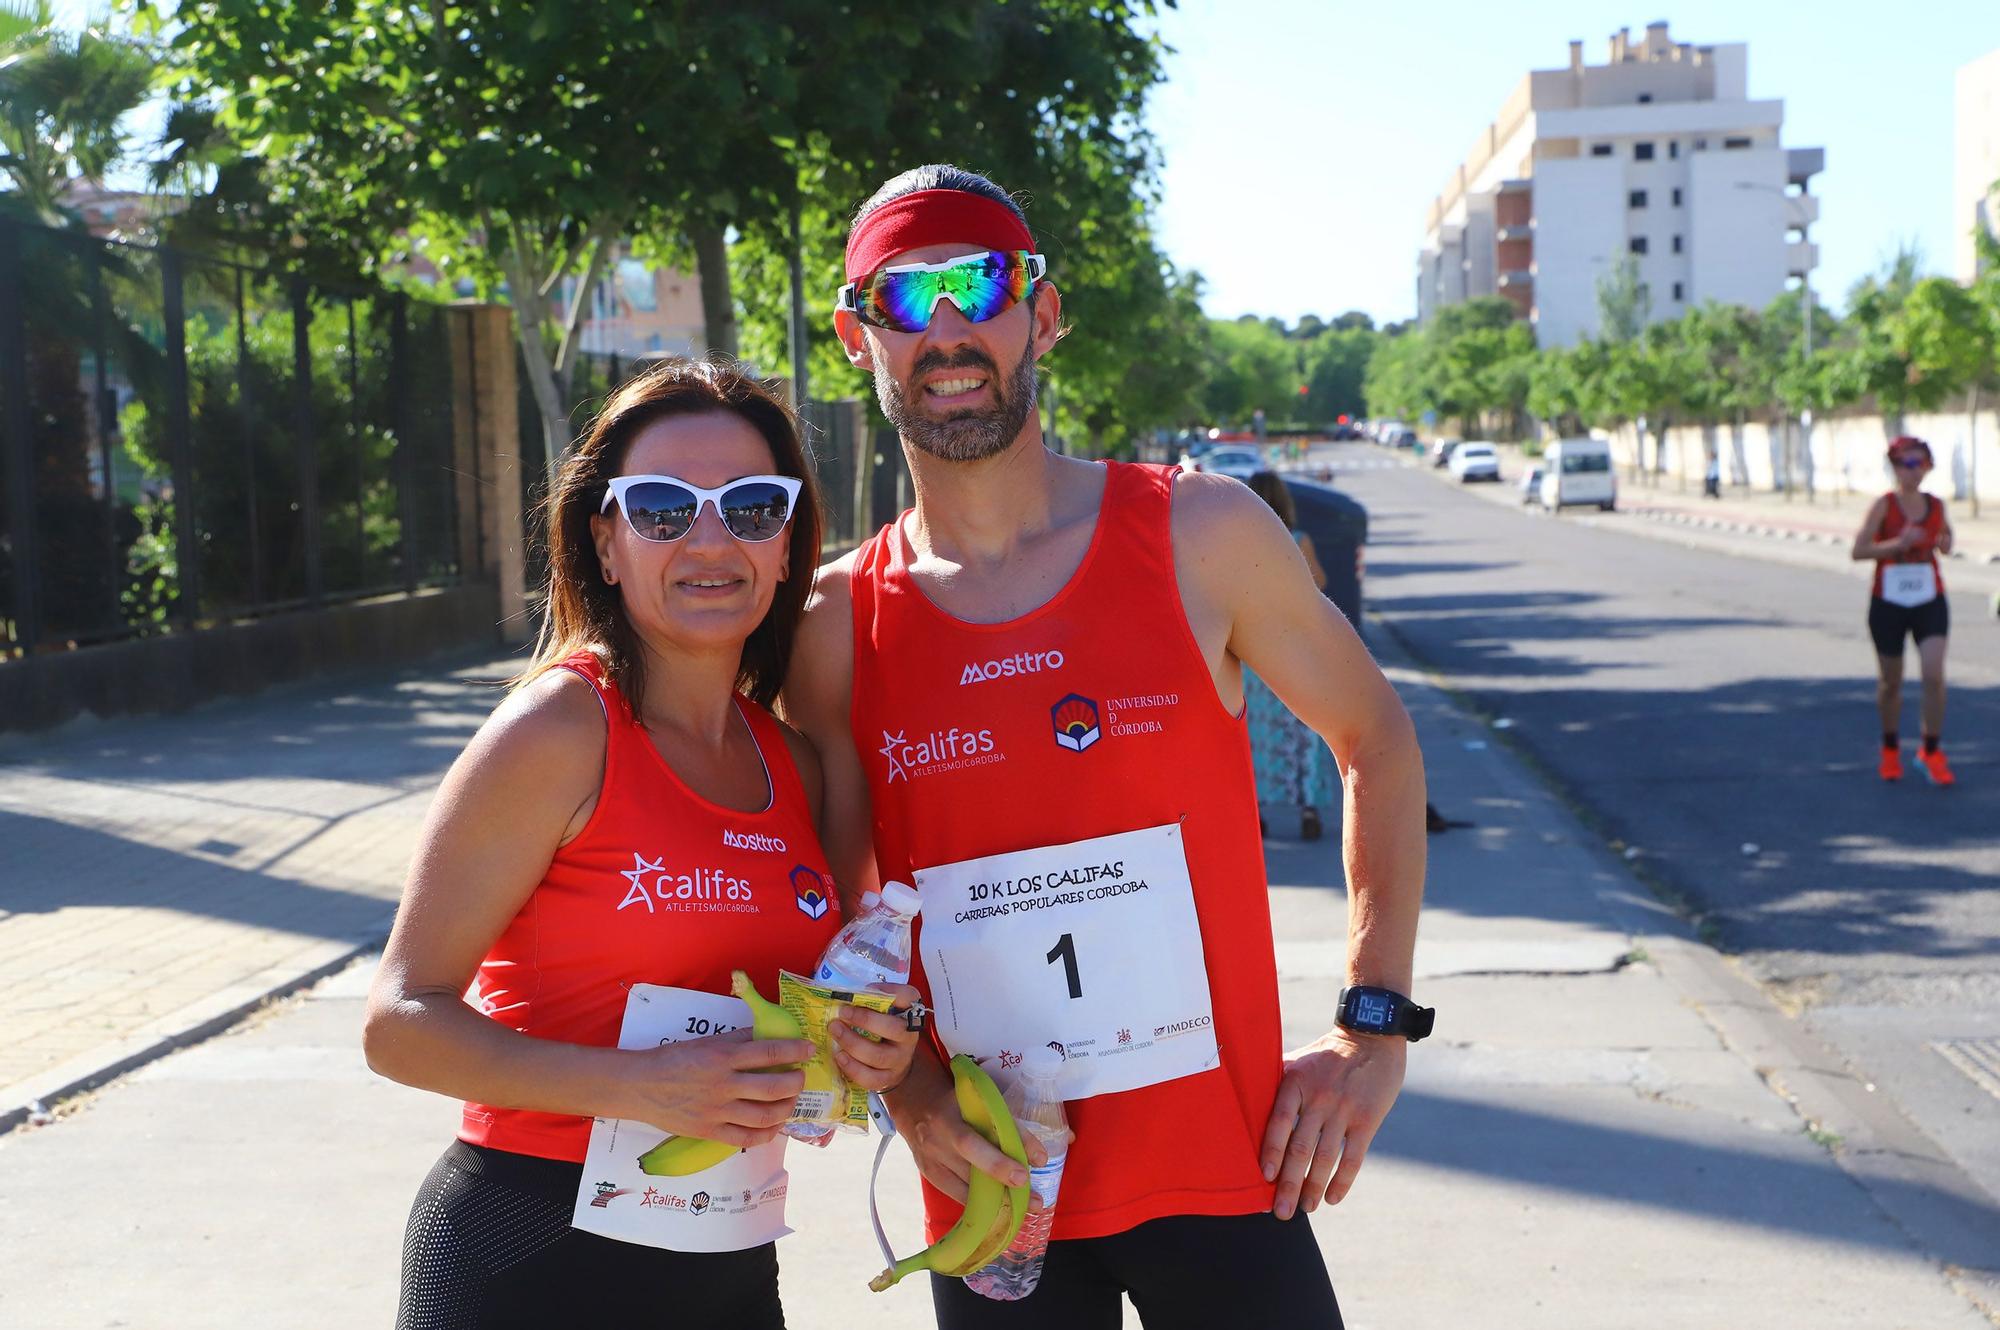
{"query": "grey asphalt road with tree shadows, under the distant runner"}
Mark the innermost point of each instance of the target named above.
(1715, 711)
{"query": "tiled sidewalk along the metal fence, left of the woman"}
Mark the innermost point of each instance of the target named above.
(163, 875)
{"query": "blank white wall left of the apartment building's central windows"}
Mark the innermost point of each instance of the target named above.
(1579, 233)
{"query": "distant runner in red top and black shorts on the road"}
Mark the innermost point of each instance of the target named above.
(1905, 533)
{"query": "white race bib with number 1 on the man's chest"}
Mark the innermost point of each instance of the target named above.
(1091, 949)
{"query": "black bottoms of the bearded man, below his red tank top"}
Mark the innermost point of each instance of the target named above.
(1183, 1273)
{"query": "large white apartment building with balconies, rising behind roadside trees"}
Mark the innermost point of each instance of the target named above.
(1659, 155)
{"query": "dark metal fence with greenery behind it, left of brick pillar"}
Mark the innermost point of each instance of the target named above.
(189, 441)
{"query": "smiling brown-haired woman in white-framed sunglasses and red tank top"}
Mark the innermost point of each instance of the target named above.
(627, 829)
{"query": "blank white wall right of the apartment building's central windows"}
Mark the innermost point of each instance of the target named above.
(1737, 235)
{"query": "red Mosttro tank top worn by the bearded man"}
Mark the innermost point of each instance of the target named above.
(1115, 639)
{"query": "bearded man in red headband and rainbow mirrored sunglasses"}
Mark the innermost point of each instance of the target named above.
(1029, 701)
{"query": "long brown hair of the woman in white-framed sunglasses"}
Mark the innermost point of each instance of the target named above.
(583, 613)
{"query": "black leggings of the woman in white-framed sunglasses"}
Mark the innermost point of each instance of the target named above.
(491, 1249)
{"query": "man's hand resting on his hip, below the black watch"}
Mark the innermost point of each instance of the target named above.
(1331, 1103)
